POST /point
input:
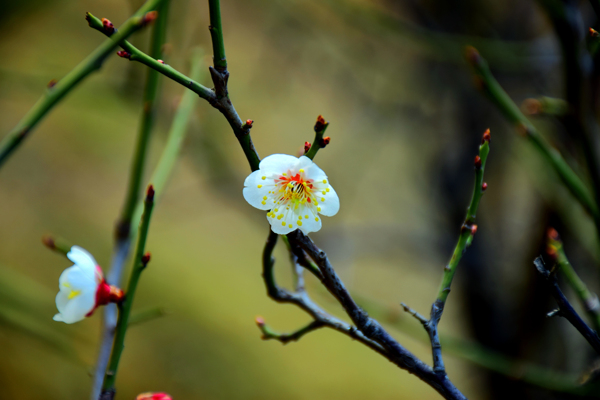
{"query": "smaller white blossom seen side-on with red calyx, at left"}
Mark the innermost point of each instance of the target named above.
(82, 288)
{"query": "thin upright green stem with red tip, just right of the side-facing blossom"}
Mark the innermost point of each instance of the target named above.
(139, 264)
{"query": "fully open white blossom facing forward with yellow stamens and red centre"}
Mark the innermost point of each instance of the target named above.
(294, 191)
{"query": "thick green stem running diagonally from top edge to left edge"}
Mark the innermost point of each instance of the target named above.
(54, 94)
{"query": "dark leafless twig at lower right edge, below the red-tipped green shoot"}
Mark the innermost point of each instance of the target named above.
(565, 309)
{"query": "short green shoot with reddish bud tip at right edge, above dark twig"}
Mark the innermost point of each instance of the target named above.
(588, 300)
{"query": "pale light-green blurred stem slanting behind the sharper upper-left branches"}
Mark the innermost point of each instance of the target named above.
(177, 134)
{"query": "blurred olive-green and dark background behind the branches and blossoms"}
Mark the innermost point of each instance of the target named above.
(405, 122)
